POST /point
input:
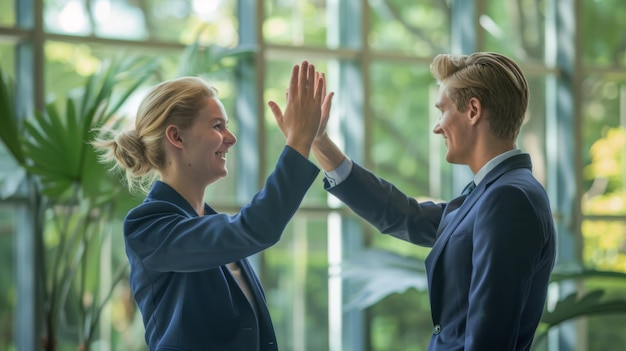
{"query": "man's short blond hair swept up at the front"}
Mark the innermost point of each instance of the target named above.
(495, 80)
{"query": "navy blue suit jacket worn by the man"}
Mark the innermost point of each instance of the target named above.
(489, 266)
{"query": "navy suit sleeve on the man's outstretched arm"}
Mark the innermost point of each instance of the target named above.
(387, 208)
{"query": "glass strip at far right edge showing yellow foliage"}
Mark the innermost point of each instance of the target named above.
(603, 154)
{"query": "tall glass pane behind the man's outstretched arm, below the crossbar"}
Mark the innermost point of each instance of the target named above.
(406, 152)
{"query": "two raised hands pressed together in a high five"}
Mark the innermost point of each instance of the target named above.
(308, 107)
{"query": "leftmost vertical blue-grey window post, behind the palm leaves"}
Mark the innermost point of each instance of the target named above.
(29, 96)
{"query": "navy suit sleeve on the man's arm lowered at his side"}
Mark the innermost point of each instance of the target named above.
(510, 249)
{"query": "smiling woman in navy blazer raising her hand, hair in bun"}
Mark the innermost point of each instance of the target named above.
(189, 271)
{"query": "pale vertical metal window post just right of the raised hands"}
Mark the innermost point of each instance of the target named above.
(347, 32)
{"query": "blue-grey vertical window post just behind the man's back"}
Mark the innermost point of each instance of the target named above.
(562, 152)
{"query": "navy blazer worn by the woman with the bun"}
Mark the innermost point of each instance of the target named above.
(188, 298)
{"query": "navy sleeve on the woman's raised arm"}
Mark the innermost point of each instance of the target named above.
(166, 238)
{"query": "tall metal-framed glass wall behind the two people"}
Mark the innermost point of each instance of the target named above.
(376, 55)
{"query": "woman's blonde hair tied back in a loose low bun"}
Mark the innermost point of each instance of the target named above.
(139, 153)
